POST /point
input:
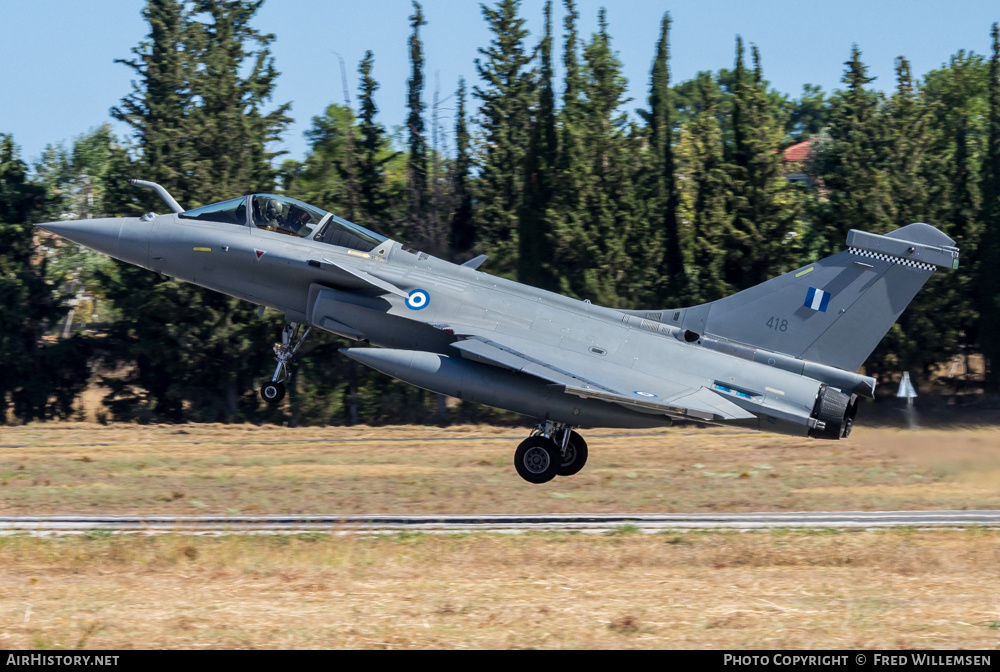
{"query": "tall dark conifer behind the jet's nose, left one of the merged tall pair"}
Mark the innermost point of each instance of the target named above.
(158, 112)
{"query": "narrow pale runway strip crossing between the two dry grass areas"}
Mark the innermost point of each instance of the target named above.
(650, 523)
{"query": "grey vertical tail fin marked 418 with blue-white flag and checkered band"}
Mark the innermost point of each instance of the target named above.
(834, 311)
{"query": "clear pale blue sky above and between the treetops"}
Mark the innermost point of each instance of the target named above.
(58, 77)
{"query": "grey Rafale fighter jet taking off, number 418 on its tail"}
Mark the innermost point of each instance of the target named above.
(779, 357)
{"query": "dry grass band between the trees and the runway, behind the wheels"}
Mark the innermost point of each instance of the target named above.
(89, 468)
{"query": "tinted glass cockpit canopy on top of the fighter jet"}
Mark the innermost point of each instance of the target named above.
(281, 214)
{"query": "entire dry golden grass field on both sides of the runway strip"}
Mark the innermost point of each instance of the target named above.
(782, 589)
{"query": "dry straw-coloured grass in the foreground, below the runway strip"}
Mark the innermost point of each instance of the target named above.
(889, 589)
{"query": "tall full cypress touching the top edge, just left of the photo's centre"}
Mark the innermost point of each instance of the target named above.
(504, 126)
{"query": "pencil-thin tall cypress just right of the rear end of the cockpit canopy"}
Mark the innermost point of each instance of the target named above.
(417, 175)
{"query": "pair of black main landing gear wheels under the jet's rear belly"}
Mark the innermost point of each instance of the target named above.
(553, 449)
